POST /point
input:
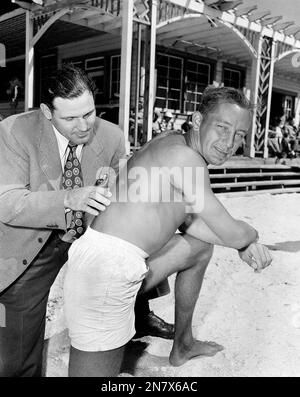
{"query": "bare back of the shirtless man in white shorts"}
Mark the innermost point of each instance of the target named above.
(146, 208)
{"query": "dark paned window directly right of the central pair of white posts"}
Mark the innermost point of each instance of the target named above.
(169, 82)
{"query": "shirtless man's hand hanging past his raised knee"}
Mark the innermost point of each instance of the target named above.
(257, 256)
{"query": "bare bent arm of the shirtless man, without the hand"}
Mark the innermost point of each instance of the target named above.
(211, 221)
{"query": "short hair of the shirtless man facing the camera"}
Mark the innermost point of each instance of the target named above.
(213, 96)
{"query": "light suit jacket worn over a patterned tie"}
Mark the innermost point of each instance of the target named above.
(31, 199)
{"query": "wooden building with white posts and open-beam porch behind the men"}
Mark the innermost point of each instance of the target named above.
(160, 54)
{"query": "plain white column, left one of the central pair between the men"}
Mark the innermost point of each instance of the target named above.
(125, 78)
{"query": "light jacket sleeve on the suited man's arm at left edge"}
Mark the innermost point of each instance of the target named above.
(19, 205)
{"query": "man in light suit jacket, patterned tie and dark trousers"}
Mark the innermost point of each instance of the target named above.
(50, 160)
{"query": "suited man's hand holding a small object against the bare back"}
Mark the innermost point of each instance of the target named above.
(90, 199)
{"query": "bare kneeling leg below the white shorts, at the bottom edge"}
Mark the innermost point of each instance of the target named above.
(95, 364)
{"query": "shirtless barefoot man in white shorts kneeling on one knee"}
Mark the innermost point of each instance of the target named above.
(108, 264)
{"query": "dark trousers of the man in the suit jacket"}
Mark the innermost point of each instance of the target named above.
(25, 303)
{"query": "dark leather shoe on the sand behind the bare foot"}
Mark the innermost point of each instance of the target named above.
(153, 325)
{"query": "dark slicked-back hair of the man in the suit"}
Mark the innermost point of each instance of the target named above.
(67, 82)
